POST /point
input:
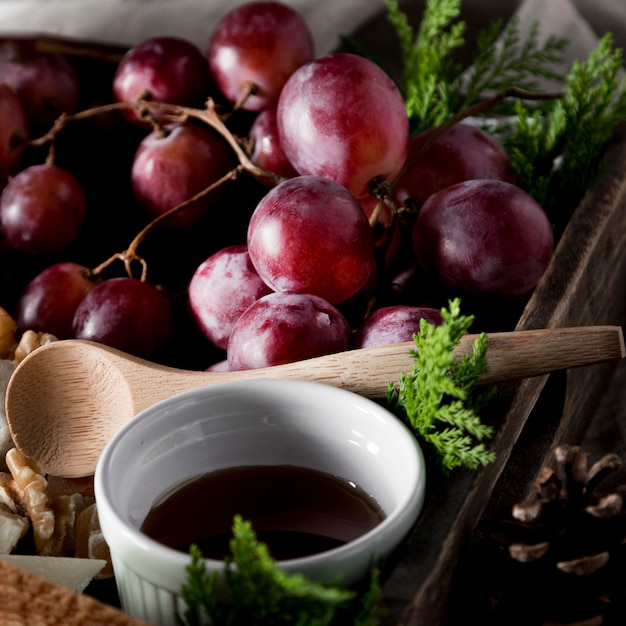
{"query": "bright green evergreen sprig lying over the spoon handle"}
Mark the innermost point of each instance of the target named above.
(438, 399)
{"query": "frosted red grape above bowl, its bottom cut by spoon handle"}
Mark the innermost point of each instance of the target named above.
(286, 327)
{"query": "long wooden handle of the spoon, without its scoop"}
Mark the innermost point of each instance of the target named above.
(510, 355)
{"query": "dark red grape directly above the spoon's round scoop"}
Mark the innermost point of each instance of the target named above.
(50, 299)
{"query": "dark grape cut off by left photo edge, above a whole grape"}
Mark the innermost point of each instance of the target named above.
(14, 130)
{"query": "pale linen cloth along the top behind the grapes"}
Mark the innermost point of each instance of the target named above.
(130, 21)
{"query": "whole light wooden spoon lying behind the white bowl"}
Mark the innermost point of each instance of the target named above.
(67, 398)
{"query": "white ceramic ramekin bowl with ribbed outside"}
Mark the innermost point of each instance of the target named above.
(251, 423)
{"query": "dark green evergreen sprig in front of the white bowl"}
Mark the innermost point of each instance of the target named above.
(258, 593)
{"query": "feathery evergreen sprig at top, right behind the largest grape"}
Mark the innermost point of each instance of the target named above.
(435, 86)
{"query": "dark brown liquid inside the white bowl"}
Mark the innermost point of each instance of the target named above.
(296, 511)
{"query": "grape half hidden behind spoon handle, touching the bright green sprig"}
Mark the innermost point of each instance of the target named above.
(393, 324)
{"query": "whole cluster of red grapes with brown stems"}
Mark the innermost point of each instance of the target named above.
(283, 207)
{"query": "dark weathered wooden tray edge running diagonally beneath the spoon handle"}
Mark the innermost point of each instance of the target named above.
(584, 285)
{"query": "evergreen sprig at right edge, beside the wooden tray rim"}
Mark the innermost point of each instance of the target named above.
(556, 151)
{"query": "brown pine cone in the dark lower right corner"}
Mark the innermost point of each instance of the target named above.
(562, 553)
